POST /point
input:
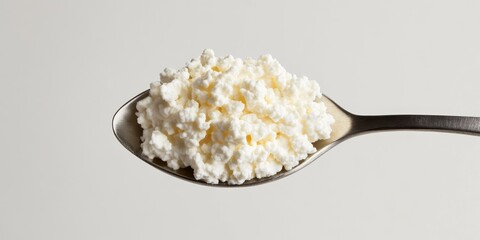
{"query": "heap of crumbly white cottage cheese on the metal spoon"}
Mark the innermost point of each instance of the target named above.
(232, 119)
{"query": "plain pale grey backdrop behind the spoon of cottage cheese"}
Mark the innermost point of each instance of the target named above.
(66, 66)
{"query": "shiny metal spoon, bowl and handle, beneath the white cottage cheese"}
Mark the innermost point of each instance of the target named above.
(347, 125)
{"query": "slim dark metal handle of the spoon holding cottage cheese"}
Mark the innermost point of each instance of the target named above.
(452, 124)
